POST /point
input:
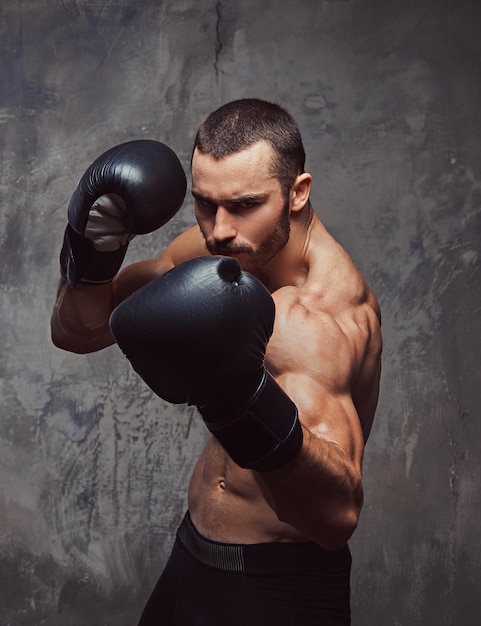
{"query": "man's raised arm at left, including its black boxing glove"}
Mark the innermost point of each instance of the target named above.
(132, 189)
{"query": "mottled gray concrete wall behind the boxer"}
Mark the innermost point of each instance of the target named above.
(93, 469)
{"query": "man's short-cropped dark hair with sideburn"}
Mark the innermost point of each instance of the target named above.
(241, 123)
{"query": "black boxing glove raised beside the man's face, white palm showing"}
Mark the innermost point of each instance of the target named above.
(132, 189)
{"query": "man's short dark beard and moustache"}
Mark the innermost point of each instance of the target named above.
(254, 259)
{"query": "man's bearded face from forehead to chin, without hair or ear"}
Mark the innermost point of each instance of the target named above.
(240, 207)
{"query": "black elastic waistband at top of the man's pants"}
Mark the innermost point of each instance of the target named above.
(259, 557)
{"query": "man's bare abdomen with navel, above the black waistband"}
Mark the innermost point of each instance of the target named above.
(226, 503)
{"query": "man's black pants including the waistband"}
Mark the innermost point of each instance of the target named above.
(206, 583)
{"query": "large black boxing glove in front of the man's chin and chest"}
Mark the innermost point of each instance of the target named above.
(198, 334)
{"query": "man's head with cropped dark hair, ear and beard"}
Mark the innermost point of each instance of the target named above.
(248, 180)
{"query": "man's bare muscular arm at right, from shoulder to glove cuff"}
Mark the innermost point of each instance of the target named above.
(320, 491)
